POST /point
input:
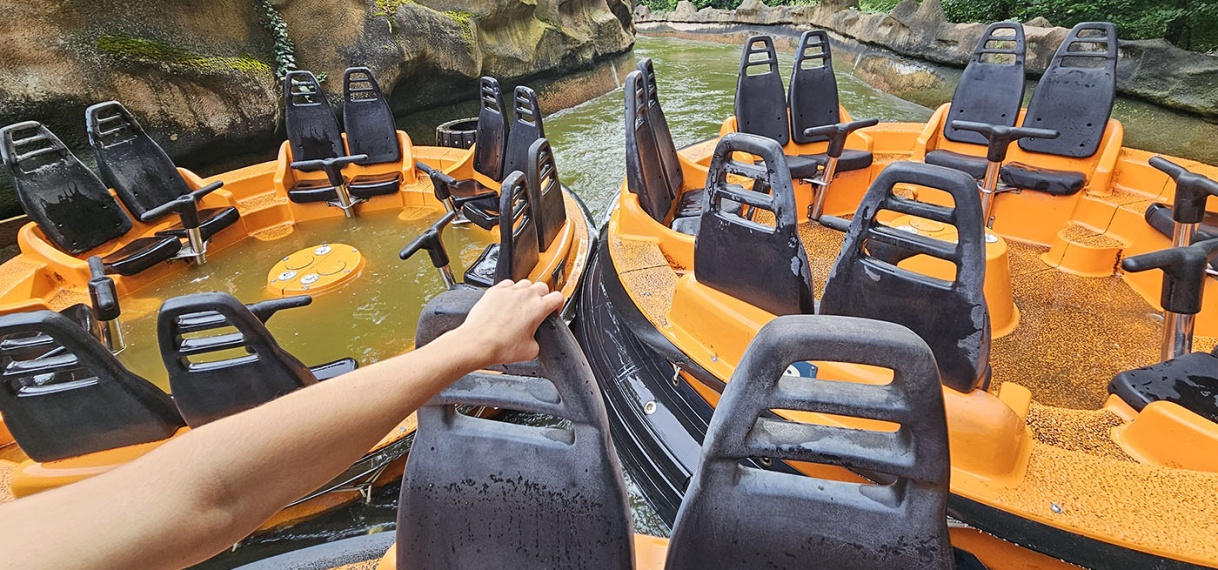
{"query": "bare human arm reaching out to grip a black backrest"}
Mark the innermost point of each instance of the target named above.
(204, 491)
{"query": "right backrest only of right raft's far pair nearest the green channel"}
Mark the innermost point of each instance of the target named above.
(814, 98)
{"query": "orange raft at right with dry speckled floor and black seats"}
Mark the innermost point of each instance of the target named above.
(1023, 265)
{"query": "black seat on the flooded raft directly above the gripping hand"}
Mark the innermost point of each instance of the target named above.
(516, 255)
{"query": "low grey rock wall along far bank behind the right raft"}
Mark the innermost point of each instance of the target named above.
(1152, 70)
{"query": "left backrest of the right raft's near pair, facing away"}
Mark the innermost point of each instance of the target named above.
(767, 267)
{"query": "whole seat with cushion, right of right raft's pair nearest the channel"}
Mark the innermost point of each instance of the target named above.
(814, 103)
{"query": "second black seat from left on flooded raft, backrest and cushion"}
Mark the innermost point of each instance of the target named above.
(141, 172)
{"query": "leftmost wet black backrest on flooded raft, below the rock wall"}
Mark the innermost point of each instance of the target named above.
(68, 202)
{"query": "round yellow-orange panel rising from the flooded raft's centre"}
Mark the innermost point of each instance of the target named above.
(315, 270)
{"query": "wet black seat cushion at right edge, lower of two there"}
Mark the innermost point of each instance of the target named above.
(1189, 381)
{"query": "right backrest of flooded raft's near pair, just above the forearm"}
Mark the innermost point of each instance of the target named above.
(216, 372)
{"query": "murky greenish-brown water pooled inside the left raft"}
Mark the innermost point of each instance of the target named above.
(371, 318)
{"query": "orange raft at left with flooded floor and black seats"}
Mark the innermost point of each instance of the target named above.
(88, 348)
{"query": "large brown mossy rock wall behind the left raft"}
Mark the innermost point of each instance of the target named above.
(199, 76)
